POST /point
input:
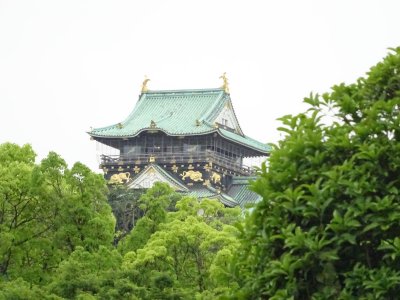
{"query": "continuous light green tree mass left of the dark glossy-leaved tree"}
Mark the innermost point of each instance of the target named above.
(57, 232)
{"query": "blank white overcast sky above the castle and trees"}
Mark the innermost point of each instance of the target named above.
(69, 65)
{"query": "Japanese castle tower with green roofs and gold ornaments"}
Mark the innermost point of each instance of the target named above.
(189, 139)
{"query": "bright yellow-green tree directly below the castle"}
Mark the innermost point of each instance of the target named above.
(187, 251)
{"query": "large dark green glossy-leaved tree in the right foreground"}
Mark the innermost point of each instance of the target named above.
(328, 225)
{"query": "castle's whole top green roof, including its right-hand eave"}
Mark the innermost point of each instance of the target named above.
(180, 113)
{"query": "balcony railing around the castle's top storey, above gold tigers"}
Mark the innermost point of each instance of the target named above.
(178, 157)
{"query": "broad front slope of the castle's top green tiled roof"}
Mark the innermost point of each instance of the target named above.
(174, 112)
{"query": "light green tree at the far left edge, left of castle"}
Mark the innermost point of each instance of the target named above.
(46, 211)
